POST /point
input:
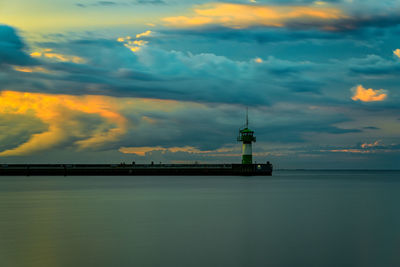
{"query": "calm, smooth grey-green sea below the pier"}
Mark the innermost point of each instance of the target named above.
(293, 218)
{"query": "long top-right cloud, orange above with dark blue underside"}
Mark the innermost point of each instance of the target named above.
(280, 21)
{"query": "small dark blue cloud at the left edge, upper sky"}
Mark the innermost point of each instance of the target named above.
(12, 48)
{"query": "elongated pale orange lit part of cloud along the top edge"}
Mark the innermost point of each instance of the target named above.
(247, 15)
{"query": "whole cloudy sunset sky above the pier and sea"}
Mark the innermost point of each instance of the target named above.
(169, 81)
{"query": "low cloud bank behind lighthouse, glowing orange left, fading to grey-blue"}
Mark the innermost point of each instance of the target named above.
(131, 125)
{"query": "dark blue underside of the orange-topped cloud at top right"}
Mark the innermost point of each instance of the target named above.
(359, 20)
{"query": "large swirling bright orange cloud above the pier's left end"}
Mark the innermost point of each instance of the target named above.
(62, 114)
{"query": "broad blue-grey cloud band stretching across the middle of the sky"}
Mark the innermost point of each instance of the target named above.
(111, 68)
